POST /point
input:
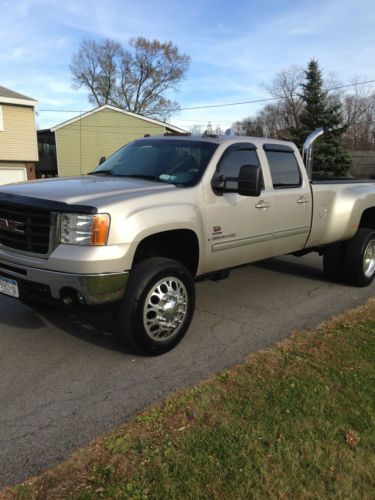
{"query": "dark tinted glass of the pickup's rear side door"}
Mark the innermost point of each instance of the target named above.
(284, 169)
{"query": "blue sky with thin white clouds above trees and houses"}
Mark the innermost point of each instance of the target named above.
(235, 47)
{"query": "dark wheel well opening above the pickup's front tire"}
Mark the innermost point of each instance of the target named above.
(179, 244)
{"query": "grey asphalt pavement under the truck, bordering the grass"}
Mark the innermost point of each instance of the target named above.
(64, 380)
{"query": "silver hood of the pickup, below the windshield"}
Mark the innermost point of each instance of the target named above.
(85, 190)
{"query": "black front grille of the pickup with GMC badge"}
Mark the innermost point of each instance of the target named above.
(25, 228)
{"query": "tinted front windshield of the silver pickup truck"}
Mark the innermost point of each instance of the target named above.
(179, 162)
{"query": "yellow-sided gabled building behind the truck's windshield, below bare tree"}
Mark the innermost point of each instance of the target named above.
(82, 141)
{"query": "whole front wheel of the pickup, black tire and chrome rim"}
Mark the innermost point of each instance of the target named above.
(157, 307)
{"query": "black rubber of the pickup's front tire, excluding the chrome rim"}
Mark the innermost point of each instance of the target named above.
(129, 314)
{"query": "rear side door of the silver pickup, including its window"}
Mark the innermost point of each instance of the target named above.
(292, 200)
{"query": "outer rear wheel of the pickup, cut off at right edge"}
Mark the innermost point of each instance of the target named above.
(359, 258)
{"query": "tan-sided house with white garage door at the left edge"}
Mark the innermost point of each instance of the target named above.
(18, 140)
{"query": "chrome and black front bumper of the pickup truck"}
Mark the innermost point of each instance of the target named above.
(72, 289)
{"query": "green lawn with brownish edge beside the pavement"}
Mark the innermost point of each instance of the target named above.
(295, 421)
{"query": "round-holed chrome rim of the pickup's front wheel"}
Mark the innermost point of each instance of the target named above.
(165, 309)
